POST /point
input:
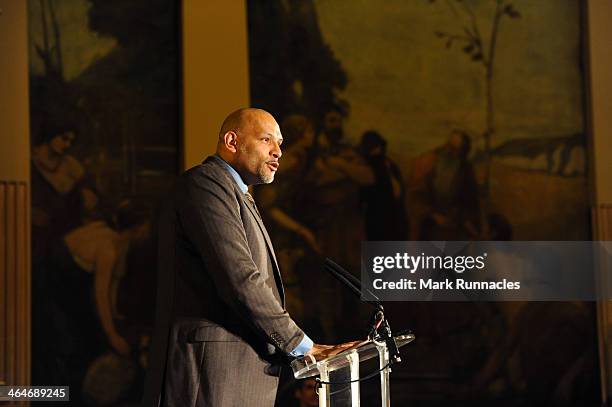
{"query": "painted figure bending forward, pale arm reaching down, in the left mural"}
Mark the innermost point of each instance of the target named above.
(83, 273)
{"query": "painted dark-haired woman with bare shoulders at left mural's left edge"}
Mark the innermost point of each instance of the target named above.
(60, 199)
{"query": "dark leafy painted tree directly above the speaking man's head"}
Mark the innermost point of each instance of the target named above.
(292, 68)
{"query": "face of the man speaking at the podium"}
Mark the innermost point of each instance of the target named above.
(258, 150)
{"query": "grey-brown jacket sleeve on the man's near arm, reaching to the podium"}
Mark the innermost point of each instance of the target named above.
(209, 214)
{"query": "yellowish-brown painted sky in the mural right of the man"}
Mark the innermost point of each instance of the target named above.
(405, 83)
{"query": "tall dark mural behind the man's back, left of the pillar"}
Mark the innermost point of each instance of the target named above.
(105, 130)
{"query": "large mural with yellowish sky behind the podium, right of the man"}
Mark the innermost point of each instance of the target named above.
(431, 120)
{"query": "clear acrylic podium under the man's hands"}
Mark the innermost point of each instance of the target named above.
(339, 374)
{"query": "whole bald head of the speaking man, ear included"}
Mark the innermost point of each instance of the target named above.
(249, 140)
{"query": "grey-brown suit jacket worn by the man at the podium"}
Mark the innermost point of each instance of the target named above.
(221, 324)
